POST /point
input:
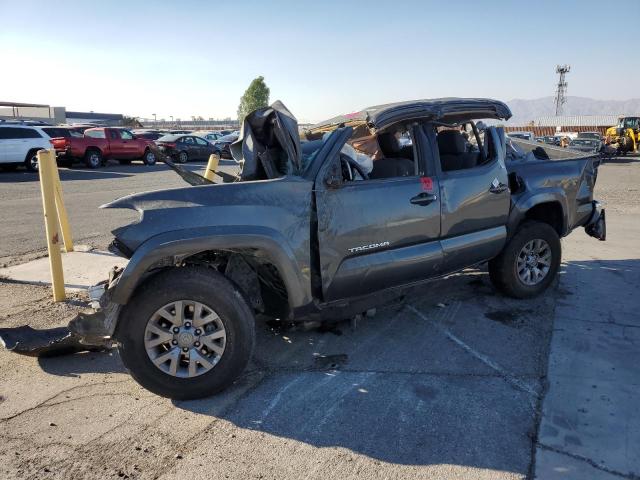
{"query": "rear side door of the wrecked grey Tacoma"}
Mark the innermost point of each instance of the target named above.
(475, 196)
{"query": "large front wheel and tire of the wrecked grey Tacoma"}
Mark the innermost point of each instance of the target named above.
(189, 285)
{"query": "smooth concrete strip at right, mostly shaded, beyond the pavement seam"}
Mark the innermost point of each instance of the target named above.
(591, 423)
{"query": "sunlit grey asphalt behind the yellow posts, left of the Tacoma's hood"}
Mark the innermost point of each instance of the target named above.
(84, 191)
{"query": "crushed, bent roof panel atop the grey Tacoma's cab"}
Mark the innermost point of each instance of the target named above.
(444, 109)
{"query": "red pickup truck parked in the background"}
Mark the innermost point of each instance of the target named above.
(100, 144)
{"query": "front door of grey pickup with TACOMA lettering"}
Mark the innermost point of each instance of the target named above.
(375, 233)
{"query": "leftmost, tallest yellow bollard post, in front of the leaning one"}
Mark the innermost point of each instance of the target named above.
(46, 163)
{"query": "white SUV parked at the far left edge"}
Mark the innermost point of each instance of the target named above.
(19, 145)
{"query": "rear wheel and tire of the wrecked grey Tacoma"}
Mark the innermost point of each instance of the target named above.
(509, 276)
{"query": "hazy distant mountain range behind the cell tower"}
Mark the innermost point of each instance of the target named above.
(526, 110)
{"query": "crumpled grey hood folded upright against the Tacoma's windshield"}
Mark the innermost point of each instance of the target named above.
(269, 143)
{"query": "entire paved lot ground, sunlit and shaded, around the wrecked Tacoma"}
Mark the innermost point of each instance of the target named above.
(451, 381)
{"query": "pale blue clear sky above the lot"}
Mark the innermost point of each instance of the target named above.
(321, 58)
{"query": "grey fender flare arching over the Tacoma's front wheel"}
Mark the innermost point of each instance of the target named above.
(190, 242)
